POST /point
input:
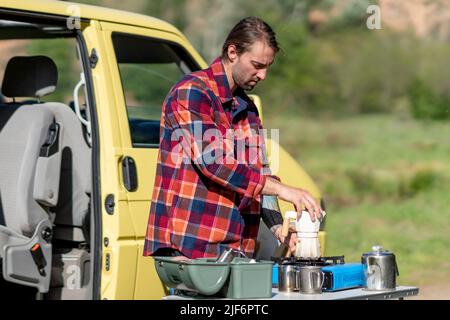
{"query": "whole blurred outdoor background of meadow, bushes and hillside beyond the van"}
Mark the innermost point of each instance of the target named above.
(366, 113)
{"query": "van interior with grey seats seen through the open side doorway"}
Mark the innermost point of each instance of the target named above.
(45, 165)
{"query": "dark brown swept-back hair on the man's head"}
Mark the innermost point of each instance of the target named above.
(246, 32)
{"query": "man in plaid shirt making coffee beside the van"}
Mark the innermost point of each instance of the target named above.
(200, 208)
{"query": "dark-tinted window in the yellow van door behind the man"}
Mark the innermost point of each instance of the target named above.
(148, 69)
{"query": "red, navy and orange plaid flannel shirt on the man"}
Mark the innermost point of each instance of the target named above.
(203, 207)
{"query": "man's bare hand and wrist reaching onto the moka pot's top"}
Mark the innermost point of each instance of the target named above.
(301, 199)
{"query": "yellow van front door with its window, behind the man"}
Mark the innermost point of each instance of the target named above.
(143, 65)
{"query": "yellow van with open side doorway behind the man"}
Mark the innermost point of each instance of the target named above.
(81, 95)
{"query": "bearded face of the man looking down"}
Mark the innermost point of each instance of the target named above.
(251, 66)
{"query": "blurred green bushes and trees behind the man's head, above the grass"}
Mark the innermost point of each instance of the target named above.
(339, 68)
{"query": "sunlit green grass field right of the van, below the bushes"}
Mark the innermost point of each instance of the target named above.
(385, 179)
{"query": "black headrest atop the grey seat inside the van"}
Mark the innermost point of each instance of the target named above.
(34, 76)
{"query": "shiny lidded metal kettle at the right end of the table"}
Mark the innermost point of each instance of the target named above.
(380, 269)
